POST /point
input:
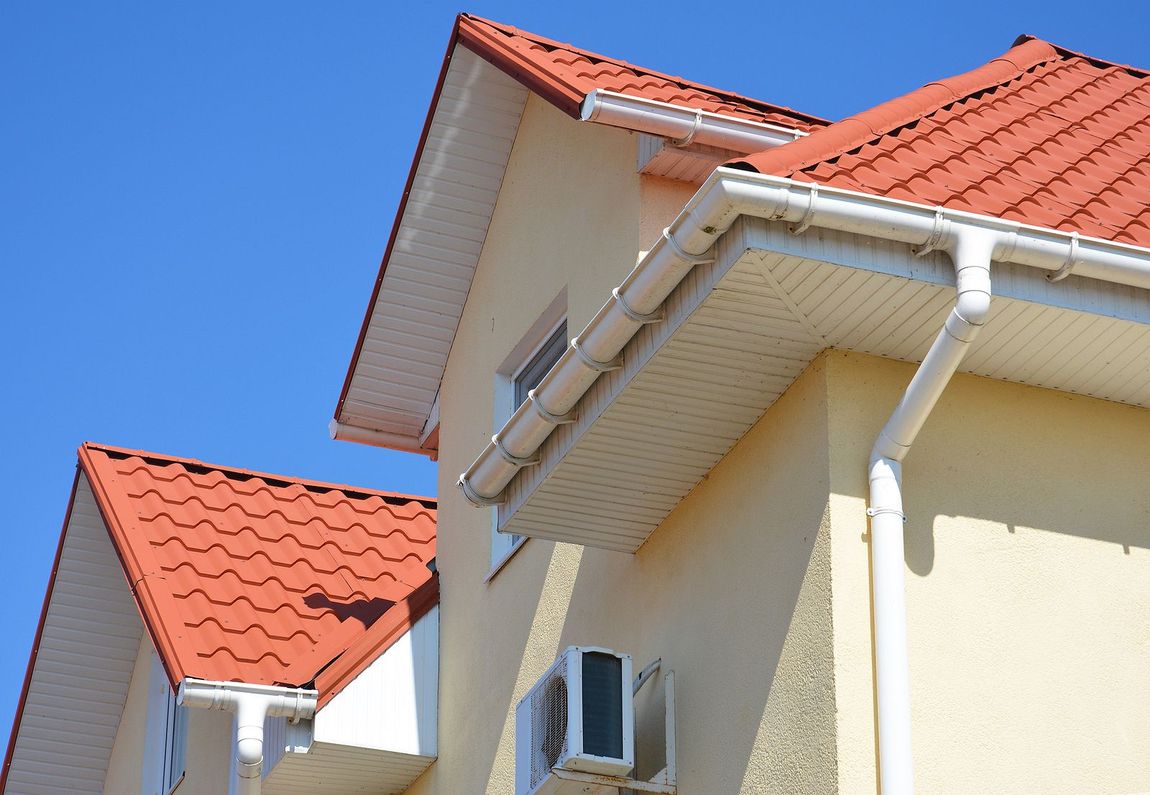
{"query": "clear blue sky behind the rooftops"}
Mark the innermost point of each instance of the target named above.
(195, 198)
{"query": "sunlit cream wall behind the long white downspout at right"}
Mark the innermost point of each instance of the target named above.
(1029, 585)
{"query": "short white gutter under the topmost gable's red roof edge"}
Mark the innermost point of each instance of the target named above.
(684, 126)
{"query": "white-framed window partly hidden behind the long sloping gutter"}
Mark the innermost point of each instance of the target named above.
(522, 372)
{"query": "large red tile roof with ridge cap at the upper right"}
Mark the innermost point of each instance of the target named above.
(1041, 135)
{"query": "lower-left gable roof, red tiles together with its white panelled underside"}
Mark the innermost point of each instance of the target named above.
(236, 575)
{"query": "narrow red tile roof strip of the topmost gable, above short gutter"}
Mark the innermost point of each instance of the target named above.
(564, 75)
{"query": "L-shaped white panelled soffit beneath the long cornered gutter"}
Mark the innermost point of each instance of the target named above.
(741, 331)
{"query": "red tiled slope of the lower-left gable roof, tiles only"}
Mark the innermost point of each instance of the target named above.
(248, 577)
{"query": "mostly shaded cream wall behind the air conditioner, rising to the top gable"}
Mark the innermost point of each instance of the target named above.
(733, 593)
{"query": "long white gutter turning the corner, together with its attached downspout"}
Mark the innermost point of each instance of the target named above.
(972, 241)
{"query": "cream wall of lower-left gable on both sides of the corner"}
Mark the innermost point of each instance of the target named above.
(210, 736)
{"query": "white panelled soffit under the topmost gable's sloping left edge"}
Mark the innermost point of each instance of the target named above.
(436, 250)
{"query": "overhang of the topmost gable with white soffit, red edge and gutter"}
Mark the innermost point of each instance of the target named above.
(389, 397)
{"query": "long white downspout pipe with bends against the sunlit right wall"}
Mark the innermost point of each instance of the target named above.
(971, 250)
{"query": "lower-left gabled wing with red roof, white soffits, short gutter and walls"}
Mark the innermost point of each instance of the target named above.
(212, 630)
